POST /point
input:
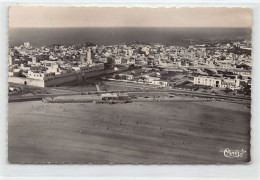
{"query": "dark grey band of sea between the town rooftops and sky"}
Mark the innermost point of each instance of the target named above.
(111, 36)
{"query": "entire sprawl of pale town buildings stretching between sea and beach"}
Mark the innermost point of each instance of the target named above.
(216, 65)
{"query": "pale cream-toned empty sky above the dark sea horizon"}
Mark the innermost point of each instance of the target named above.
(37, 17)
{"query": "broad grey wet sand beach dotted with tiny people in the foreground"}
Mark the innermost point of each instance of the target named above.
(161, 132)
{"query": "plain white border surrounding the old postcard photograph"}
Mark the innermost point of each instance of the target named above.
(182, 172)
